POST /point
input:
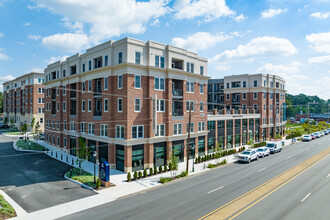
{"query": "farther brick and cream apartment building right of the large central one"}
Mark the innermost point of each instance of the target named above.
(264, 93)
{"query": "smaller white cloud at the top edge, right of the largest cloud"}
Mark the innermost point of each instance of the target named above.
(210, 9)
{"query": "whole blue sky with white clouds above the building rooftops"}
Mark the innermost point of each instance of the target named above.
(290, 38)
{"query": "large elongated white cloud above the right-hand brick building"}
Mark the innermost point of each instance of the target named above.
(260, 47)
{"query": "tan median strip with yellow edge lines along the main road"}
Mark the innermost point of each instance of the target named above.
(235, 207)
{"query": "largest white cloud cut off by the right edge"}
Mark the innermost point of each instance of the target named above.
(319, 42)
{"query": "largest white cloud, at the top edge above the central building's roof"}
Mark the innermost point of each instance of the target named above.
(92, 21)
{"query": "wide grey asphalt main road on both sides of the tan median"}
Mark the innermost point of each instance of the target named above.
(196, 196)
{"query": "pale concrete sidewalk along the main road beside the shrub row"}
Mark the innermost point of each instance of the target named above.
(122, 188)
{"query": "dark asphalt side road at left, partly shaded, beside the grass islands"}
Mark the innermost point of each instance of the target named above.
(35, 181)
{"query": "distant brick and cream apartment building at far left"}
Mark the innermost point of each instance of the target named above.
(23, 99)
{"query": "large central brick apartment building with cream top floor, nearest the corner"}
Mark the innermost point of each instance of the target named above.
(106, 96)
